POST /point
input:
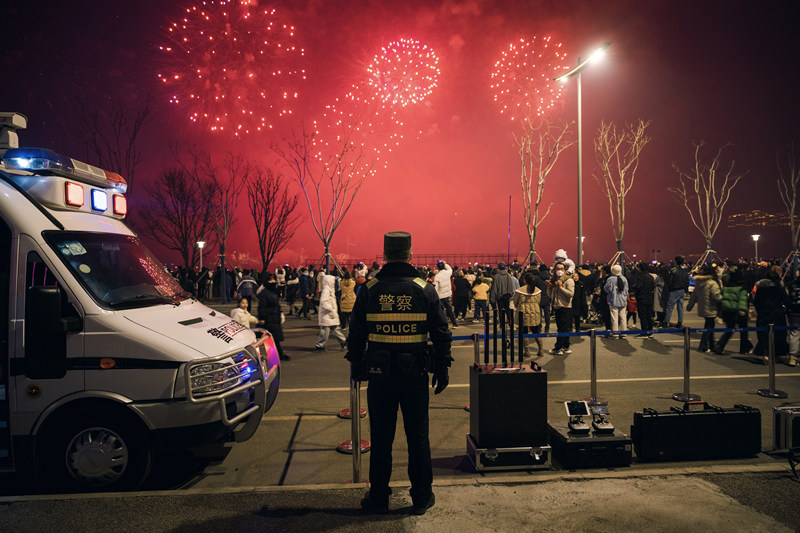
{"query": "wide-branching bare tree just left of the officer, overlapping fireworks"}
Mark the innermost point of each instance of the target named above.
(330, 179)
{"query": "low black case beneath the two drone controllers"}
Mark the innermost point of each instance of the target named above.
(593, 450)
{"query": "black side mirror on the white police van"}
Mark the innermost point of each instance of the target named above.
(45, 335)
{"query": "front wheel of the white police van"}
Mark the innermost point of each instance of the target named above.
(97, 451)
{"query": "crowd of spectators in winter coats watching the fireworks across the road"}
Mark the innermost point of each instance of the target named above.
(619, 297)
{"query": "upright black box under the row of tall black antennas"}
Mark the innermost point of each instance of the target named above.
(508, 407)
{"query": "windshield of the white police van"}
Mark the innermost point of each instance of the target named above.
(117, 270)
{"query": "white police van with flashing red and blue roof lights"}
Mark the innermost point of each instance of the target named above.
(104, 359)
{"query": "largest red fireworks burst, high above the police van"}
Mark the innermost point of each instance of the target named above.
(232, 66)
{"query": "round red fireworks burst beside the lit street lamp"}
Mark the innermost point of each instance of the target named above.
(523, 77)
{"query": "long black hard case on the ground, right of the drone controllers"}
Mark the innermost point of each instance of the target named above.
(697, 431)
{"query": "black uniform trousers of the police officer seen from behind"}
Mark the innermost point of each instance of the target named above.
(410, 393)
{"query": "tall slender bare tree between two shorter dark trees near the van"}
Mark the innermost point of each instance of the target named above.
(226, 185)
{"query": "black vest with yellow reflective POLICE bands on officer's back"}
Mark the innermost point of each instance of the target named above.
(397, 315)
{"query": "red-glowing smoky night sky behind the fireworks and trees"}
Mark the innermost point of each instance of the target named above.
(713, 71)
